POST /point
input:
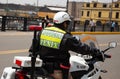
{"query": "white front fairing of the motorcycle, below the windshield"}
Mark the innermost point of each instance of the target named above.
(78, 63)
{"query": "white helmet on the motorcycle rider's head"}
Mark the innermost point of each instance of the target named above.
(60, 17)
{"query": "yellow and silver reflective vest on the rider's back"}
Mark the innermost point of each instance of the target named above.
(51, 37)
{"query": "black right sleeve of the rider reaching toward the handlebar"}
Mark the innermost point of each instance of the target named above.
(76, 45)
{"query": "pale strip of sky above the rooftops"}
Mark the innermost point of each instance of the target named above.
(48, 2)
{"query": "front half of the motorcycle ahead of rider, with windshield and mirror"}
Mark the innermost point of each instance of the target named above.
(88, 66)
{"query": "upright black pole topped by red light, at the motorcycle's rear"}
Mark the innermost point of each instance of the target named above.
(34, 28)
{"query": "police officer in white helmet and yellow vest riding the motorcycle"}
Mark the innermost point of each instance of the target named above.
(55, 42)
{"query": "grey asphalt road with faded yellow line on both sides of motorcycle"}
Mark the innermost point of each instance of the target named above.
(18, 43)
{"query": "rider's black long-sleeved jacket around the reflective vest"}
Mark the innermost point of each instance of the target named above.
(68, 42)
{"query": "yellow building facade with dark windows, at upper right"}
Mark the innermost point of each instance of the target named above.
(104, 12)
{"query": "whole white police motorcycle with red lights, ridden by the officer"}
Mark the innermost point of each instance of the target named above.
(82, 66)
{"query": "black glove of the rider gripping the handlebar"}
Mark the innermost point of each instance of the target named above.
(96, 53)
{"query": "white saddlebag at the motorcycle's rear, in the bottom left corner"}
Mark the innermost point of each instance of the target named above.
(8, 73)
